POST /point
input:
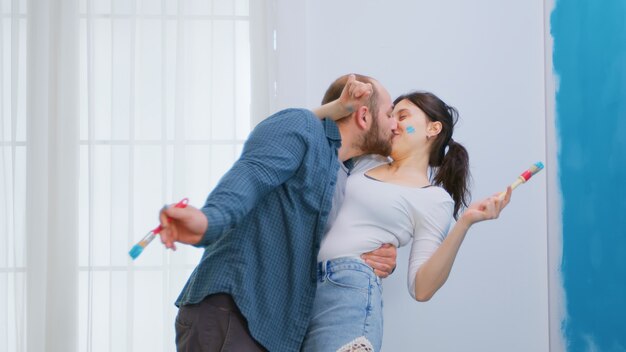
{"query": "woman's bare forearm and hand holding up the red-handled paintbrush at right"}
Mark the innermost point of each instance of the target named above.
(435, 271)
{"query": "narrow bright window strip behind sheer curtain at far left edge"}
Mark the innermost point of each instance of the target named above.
(13, 261)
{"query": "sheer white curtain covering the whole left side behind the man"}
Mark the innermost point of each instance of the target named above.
(109, 109)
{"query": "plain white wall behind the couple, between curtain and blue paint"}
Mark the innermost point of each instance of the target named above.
(487, 59)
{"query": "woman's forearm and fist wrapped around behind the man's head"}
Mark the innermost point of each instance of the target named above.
(353, 95)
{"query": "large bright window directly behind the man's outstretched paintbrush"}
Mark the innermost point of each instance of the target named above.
(164, 111)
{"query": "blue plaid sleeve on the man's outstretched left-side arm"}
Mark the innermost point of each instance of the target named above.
(271, 155)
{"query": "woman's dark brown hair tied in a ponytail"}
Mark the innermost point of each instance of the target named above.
(451, 167)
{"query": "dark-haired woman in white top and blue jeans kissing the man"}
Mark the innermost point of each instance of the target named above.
(393, 201)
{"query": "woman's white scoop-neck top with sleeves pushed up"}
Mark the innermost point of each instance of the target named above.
(375, 212)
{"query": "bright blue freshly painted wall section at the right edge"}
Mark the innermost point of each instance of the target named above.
(590, 63)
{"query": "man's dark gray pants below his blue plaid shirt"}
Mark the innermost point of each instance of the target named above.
(215, 324)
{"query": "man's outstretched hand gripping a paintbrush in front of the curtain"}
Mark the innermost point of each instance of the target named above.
(185, 225)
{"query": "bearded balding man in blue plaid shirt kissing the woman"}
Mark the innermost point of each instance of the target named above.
(262, 225)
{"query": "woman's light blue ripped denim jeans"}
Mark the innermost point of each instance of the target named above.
(348, 305)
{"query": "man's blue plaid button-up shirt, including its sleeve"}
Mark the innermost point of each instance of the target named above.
(266, 219)
